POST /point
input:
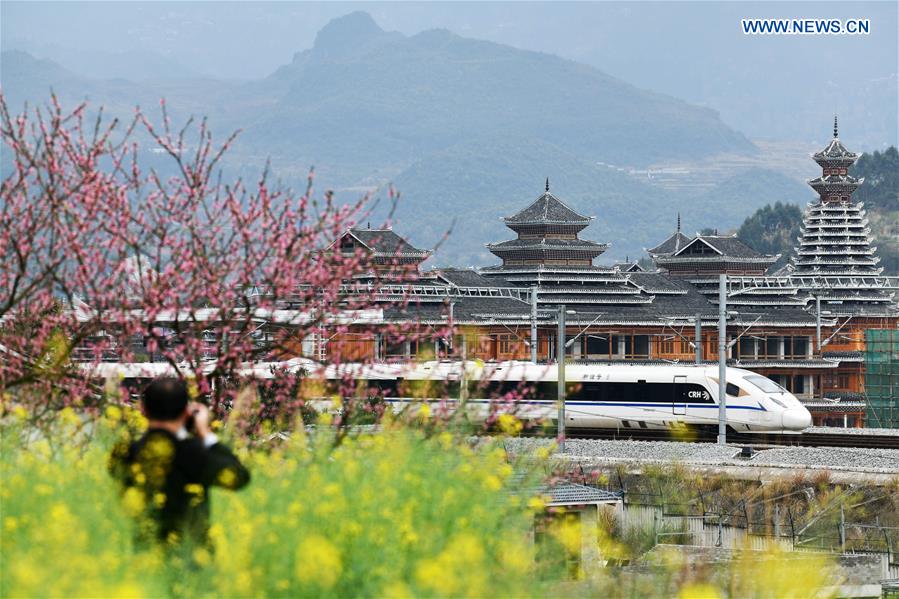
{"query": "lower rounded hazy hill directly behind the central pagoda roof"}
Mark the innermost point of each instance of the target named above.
(477, 182)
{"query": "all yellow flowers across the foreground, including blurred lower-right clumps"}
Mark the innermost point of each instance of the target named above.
(398, 513)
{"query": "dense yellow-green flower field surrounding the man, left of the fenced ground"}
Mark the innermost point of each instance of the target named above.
(394, 514)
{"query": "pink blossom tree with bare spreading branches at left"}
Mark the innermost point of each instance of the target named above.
(106, 261)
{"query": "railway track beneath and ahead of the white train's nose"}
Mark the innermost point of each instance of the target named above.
(752, 440)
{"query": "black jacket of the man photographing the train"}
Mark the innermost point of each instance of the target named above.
(173, 476)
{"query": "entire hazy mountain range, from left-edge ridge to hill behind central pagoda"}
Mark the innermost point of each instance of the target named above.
(467, 129)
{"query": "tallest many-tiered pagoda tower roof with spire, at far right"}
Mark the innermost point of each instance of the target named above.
(836, 238)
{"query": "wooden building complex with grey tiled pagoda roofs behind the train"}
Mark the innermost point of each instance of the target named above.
(623, 314)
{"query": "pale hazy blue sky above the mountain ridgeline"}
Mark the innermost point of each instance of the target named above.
(692, 50)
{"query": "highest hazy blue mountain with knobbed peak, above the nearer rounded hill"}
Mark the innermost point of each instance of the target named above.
(396, 98)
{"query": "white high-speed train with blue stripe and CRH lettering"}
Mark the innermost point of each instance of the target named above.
(597, 395)
